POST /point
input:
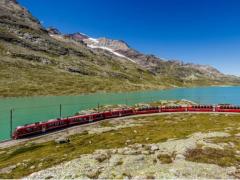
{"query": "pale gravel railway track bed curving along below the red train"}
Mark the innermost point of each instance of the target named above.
(81, 128)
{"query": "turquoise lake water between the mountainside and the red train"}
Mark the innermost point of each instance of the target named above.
(34, 109)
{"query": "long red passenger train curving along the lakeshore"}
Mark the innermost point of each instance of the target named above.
(42, 127)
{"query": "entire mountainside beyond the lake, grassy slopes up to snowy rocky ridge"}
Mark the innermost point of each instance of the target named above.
(39, 61)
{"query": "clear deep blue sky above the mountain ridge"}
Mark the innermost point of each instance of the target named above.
(198, 31)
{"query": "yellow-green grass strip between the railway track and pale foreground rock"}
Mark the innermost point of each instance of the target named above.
(33, 157)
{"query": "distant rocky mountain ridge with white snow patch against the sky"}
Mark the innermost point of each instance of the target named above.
(151, 62)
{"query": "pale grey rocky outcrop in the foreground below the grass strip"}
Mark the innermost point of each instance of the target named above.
(137, 161)
